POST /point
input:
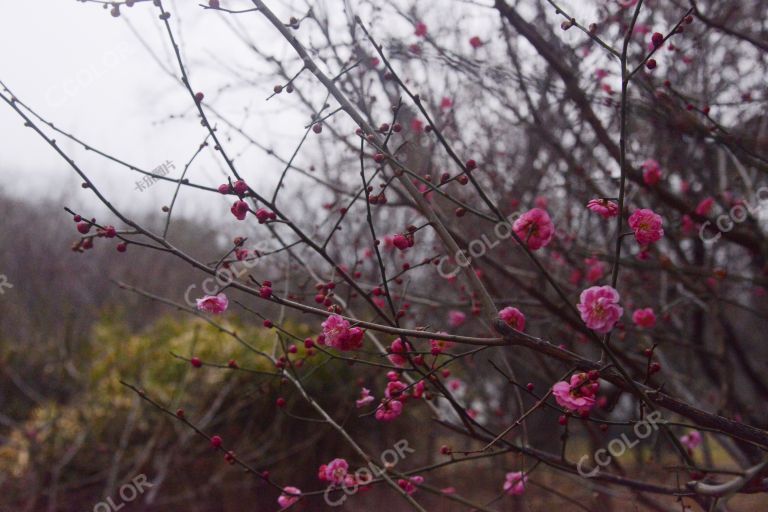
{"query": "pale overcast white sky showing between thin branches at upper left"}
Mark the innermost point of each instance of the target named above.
(85, 71)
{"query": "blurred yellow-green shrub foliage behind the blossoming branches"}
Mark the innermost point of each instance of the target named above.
(100, 405)
